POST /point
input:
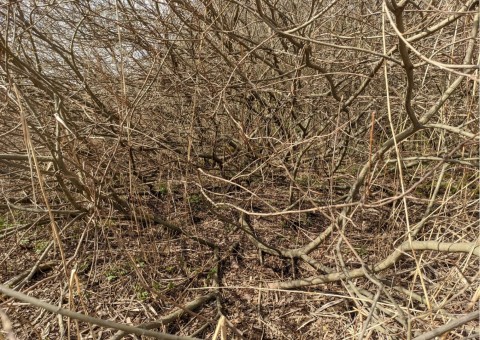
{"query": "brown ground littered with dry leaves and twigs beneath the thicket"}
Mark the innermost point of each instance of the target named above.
(135, 273)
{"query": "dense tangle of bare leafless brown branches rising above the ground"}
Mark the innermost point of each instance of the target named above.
(271, 109)
